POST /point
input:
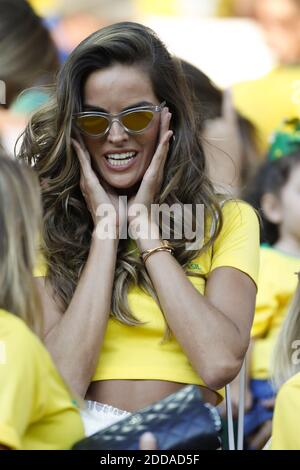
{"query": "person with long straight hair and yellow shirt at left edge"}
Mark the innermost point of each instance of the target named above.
(37, 410)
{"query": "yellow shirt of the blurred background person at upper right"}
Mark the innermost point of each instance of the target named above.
(269, 100)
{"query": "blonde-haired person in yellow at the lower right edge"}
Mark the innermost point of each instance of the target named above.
(286, 375)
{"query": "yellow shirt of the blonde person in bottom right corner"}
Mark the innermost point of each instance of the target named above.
(285, 432)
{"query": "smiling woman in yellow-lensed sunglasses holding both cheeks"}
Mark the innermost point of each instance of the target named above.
(131, 319)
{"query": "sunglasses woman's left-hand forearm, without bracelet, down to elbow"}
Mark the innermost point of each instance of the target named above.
(76, 339)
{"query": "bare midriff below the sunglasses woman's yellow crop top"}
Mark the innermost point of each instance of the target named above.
(132, 395)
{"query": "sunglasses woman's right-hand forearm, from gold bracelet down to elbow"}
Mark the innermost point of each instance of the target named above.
(211, 340)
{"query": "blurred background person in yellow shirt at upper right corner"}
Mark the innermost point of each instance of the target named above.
(274, 97)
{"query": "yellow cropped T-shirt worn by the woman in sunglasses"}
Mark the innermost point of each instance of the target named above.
(136, 352)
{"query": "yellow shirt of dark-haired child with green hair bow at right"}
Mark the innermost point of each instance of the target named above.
(277, 283)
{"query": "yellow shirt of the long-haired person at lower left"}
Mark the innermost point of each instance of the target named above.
(36, 410)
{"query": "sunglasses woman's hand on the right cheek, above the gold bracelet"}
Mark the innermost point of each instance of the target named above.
(153, 177)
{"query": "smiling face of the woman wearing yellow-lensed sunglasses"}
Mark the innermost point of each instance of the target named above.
(113, 90)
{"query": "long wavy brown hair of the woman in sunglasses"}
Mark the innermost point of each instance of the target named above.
(47, 146)
